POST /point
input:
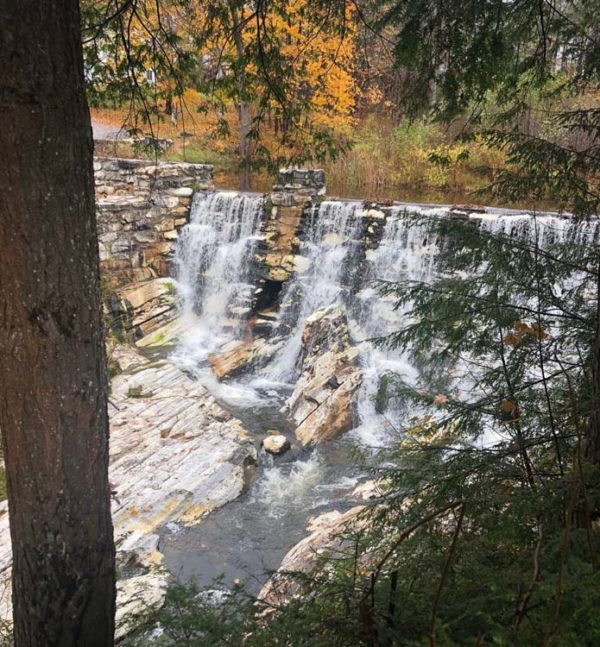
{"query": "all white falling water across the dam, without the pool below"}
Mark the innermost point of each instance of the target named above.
(214, 280)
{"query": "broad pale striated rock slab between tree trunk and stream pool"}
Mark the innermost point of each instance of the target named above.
(175, 453)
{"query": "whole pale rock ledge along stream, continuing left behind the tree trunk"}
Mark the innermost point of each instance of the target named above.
(175, 454)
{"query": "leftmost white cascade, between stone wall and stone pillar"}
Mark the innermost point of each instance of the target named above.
(213, 267)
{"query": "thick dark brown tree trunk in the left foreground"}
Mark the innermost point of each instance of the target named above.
(53, 397)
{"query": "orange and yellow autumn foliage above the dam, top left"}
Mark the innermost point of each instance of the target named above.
(280, 82)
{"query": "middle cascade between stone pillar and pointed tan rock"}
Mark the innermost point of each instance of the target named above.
(329, 249)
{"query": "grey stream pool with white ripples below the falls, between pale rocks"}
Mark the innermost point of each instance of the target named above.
(246, 539)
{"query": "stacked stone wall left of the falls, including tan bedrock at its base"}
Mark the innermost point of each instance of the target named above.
(140, 207)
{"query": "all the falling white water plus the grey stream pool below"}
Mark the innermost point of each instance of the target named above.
(344, 254)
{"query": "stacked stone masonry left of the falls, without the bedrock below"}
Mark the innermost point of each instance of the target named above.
(140, 207)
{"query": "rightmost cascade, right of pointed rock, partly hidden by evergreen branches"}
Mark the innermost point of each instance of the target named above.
(407, 251)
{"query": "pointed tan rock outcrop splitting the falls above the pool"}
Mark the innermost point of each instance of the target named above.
(321, 405)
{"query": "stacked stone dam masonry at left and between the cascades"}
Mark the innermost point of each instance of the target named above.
(142, 205)
